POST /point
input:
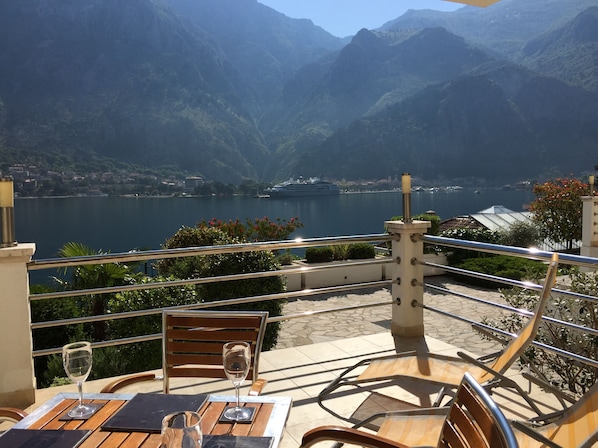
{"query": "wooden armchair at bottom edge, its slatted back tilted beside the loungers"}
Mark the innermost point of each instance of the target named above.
(473, 421)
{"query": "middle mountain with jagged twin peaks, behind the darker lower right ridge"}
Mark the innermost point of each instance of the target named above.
(372, 72)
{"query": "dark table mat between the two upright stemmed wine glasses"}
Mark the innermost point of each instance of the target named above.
(144, 412)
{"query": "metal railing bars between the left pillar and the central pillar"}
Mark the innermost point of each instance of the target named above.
(130, 257)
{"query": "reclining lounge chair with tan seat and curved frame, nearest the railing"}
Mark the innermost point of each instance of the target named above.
(446, 371)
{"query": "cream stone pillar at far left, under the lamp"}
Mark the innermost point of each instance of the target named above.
(17, 378)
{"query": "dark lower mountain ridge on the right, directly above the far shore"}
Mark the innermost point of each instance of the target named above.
(499, 126)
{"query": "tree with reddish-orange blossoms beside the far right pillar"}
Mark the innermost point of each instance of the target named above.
(557, 210)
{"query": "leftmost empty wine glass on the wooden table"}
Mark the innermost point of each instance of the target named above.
(77, 359)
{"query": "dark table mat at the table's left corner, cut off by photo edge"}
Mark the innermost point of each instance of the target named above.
(42, 438)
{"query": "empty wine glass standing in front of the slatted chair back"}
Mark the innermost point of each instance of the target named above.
(237, 359)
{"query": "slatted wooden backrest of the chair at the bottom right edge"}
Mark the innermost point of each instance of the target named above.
(475, 421)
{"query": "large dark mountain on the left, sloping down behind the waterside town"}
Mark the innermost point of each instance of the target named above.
(125, 80)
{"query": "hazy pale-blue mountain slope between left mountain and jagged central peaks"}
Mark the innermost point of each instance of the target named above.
(265, 47)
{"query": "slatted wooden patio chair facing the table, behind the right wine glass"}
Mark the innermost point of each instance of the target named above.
(192, 346)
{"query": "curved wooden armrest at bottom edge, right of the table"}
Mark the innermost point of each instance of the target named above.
(347, 435)
